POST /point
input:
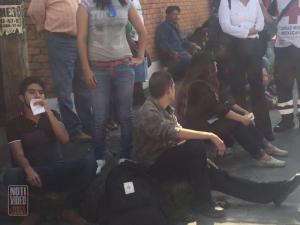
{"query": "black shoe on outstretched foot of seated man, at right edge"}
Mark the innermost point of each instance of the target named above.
(290, 186)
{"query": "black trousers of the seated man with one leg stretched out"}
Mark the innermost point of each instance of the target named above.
(188, 162)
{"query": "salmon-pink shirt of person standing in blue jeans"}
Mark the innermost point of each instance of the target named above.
(54, 15)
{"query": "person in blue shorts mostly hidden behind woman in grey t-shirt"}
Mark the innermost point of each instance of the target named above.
(141, 71)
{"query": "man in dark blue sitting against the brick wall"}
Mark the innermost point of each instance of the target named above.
(171, 46)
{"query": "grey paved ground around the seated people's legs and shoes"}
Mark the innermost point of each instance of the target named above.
(240, 212)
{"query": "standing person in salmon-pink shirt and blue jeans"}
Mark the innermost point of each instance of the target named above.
(58, 18)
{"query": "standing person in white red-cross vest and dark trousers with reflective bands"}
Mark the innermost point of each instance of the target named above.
(287, 58)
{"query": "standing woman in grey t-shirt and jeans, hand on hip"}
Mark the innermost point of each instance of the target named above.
(107, 64)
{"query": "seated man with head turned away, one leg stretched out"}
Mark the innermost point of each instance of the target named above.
(174, 153)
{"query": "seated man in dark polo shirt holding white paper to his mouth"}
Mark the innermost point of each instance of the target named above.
(34, 144)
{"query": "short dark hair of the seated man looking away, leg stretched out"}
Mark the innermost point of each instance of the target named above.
(159, 82)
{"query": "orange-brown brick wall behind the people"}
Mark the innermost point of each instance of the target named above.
(193, 14)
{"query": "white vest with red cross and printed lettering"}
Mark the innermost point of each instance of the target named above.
(288, 28)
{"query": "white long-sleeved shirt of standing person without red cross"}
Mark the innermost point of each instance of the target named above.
(238, 20)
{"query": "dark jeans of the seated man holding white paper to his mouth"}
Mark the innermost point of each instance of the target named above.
(70, 176)
